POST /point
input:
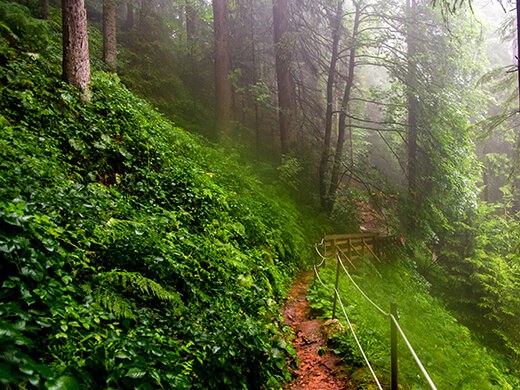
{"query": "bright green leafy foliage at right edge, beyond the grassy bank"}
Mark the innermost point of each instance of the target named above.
(490, 271)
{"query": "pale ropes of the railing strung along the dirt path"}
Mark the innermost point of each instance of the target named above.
(392, 317)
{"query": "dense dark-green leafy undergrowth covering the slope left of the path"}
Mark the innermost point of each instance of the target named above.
(132, 255)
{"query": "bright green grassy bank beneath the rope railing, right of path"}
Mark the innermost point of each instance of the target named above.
(451, 356)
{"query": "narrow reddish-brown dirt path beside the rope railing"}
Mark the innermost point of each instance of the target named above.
(318, 368)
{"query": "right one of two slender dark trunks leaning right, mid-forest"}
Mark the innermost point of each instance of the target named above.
(343, 115)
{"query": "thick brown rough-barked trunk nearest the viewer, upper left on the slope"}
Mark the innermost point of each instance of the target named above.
(76, 65)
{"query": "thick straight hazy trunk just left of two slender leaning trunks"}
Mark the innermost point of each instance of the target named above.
(286, 98)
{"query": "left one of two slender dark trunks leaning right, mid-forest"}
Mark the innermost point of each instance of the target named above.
(326, 152)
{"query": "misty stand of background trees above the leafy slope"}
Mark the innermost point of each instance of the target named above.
(353, 91)
